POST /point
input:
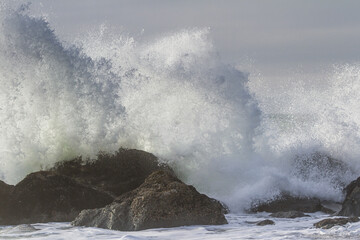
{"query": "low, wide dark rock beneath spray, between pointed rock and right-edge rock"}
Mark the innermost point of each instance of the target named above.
(289, 203)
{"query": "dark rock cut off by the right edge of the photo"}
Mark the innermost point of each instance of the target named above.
(351, 204)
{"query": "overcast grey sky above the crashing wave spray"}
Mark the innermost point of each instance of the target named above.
(277, 35)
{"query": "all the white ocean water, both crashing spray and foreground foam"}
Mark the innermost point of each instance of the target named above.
(235, 137)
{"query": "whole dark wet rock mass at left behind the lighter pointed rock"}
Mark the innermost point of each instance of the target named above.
(62, 192)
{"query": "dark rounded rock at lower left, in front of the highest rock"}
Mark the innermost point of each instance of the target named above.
(46, 197)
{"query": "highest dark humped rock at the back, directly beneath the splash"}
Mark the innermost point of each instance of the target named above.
(116, 174)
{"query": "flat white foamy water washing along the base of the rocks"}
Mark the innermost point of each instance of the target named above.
(239, 227)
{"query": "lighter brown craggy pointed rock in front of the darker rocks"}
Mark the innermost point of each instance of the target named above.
(161, 201)
